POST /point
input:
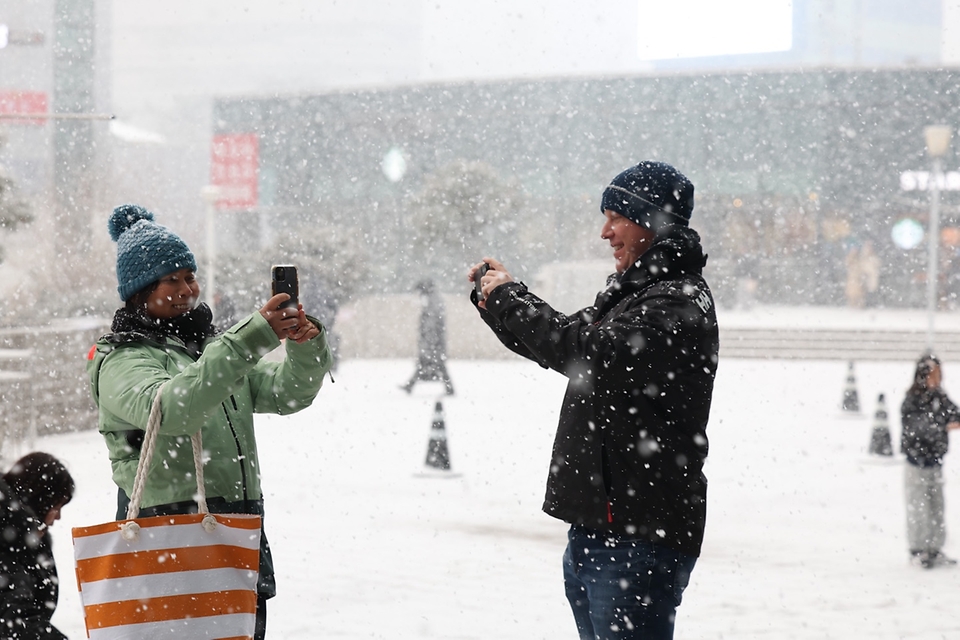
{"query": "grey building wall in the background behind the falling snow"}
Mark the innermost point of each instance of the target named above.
(810, 161)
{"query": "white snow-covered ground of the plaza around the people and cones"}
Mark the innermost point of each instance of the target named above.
(805, 532)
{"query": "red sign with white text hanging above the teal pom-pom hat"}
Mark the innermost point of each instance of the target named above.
(234, 166)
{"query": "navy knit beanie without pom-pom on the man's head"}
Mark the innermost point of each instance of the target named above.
(652, 194)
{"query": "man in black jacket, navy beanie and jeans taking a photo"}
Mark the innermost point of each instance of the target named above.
(628, 456)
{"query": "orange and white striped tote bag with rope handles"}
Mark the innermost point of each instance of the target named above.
(184, 576)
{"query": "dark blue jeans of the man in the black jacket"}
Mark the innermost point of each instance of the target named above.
(622, 588)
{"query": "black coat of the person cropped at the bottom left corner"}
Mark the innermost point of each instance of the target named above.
(29, 588)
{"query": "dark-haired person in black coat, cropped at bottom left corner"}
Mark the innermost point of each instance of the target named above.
(32, 494)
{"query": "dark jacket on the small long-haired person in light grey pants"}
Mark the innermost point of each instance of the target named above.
(924, 419)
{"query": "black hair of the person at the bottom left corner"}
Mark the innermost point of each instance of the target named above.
(41, 482)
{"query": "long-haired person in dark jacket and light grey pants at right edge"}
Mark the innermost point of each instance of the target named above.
(926, 415)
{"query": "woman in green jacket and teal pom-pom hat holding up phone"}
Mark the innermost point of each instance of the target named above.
(211, 382)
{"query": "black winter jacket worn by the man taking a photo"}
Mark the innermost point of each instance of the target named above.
(641, 362)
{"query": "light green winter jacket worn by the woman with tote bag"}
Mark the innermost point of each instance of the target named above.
(218, 393)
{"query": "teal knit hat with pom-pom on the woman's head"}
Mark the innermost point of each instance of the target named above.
(146, 251)
